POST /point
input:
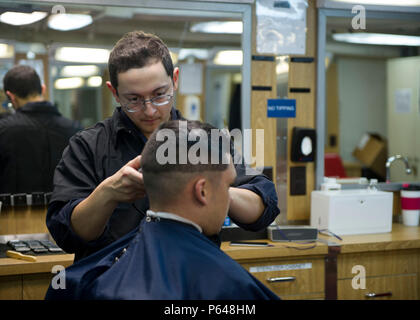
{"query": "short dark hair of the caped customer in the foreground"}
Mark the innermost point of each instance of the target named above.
(166, 180)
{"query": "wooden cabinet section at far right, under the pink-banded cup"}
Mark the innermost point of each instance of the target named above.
(380, 266)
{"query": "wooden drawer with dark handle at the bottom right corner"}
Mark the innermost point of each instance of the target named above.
(396, 287)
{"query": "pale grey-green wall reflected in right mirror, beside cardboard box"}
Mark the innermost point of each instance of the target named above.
(362, 101)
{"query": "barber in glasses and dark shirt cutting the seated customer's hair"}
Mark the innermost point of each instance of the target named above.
(99, 193)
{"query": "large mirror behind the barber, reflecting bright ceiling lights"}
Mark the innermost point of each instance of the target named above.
(78, 87)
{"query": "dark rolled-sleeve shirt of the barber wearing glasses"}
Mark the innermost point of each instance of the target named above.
(99, 152)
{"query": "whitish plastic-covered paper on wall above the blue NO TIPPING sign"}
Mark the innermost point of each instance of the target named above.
(281, 26)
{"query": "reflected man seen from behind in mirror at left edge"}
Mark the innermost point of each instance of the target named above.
(33, 138)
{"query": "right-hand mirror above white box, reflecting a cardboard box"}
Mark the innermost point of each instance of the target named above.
(372, 102)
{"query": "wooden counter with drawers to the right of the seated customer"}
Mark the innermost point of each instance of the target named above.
(369, 266)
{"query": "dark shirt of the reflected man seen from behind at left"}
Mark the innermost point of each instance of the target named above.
(31, 145)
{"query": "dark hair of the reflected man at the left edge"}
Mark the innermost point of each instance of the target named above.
(22, 81)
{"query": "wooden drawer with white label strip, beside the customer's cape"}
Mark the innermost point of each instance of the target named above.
(290, 277)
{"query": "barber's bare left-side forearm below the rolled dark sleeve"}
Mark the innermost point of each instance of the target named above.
(90, 216)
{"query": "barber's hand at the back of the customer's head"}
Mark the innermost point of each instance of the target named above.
(126, 185)
